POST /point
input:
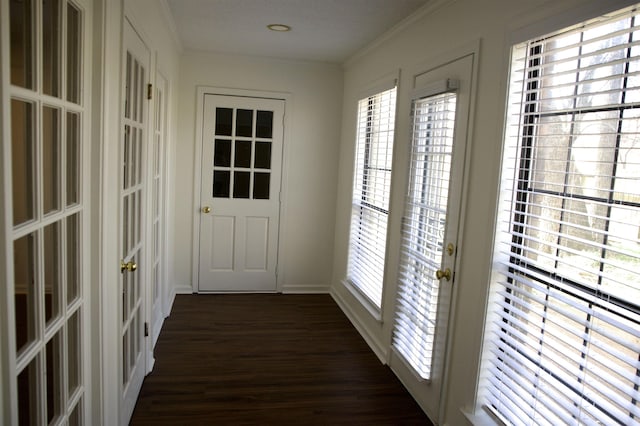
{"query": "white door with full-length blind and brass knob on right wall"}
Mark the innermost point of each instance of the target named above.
(431, 229)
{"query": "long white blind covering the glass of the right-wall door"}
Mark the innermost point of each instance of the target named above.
(433, 120)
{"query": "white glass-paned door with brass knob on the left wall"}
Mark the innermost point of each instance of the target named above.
(133, 150)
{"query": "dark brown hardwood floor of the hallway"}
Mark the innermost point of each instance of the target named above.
(268, 359)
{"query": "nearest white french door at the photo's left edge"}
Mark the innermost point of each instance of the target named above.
(45, 121)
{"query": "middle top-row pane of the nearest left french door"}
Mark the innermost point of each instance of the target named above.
(51, 47)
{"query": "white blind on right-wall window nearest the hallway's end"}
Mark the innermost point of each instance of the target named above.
(371, 189)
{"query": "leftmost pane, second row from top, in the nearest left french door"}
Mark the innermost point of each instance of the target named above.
(23, 161)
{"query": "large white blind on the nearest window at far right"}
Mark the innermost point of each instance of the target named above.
(564, 338)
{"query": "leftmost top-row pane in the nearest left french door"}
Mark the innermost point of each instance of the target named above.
(22, 47)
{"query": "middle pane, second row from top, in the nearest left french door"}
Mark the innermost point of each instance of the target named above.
(50, 159)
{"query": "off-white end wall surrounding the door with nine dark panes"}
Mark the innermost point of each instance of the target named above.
(311, 158)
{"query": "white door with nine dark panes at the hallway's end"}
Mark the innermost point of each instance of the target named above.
(240, 193)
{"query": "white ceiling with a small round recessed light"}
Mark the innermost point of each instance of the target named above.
(321, 30)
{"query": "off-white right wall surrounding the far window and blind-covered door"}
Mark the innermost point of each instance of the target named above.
(421, 44)
